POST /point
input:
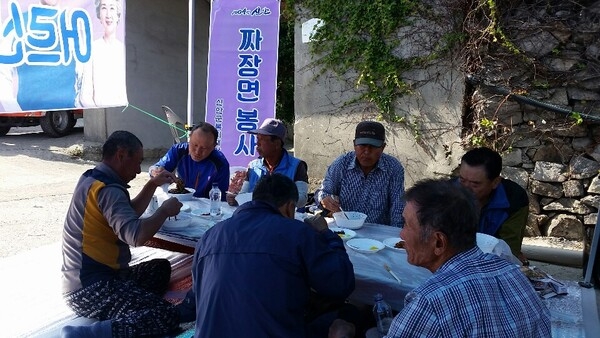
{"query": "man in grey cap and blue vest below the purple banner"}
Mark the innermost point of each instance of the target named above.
(273, 158)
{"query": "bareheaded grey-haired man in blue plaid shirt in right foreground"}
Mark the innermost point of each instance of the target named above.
(471, 293)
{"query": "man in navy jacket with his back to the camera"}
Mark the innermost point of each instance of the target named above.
(253, 273)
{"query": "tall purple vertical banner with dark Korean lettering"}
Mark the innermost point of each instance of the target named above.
(242, 73)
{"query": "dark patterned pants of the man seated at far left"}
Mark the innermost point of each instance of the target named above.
(133, 302)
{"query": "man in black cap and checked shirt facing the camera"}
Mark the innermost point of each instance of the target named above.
(366, 180)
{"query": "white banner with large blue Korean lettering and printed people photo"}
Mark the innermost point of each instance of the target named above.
(59, 54)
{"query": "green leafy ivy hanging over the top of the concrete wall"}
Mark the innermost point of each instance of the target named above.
(358, 37)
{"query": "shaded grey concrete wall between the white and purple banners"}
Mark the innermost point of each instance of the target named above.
(157, 67)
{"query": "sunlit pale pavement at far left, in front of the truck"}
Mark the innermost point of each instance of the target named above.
(36, 185)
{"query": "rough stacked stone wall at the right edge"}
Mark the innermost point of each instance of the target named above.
(549, 153)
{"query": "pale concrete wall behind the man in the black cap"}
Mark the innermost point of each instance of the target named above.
(325, 124)
